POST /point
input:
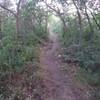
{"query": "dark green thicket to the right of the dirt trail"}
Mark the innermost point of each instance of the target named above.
(84, 50)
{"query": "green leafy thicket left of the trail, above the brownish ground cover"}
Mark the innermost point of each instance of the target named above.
(16, 52)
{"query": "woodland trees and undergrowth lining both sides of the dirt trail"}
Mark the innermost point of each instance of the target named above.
(24, 27)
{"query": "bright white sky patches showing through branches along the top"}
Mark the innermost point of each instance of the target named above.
(70, 9)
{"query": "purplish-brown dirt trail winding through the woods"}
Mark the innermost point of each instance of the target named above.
(59, 87)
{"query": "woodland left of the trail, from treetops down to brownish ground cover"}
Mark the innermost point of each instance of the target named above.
(19, 47)
